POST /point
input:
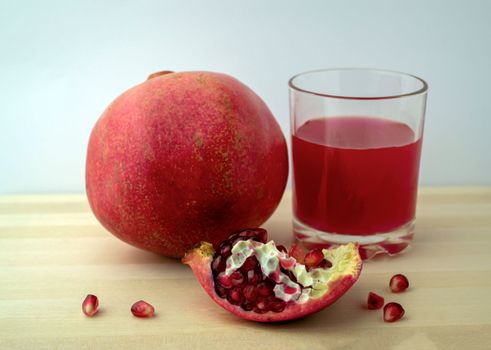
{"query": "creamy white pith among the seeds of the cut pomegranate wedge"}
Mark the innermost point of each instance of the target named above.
(314, 282)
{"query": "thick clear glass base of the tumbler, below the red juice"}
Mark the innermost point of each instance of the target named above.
(391, 243)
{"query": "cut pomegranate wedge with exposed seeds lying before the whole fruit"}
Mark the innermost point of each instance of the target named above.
(255, 280)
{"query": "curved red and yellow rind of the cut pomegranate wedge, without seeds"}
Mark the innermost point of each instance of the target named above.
(346, 268)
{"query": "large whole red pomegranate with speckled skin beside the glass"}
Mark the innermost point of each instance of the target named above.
(183, 158)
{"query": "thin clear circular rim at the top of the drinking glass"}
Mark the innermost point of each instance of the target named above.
(419, 91)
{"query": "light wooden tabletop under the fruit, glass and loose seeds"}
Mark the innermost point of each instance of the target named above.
(53, 252)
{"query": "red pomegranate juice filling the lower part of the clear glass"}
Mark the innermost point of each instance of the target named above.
(355, 175)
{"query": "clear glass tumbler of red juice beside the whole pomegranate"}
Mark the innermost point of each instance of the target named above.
(356, 147)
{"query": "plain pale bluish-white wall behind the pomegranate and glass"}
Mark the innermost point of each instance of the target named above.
(63, 62)
